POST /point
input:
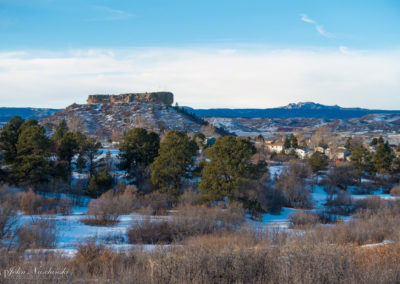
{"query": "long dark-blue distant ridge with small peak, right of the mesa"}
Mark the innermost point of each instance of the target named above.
(294, 110)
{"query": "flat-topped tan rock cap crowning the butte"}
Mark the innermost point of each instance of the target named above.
(166, 98)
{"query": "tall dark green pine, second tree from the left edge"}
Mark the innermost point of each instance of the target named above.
(32, 166)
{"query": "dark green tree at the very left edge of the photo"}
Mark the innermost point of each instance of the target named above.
(9, 138)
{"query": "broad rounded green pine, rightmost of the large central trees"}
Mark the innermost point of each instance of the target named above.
(230, 167)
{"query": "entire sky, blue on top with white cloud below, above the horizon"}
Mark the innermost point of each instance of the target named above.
(209, 53)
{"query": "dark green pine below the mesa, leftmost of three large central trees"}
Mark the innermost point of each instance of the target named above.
(137, 151)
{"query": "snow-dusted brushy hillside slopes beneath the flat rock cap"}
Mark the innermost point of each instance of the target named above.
(110, 120)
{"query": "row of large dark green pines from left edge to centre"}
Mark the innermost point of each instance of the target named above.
(30, 157)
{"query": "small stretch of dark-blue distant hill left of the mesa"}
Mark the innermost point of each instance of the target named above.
(6, 113)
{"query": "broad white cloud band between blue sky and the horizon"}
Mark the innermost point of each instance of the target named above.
(204, 77)
